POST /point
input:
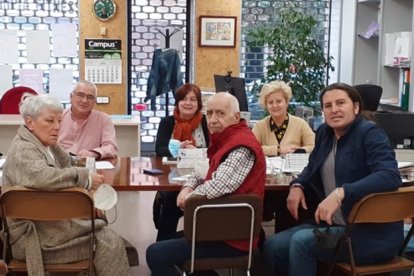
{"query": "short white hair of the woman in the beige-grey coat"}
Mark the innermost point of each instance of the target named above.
(33, 105)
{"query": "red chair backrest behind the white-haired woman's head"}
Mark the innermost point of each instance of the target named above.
(9, 103)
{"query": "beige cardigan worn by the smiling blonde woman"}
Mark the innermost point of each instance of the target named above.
(298, 133)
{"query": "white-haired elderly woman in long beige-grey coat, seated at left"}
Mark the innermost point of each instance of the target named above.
(34, 160)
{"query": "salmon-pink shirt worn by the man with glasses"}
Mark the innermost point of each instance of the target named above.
(96, 133)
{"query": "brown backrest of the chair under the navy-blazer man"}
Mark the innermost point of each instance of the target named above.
(384, 207)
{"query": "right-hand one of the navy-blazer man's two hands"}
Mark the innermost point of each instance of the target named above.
(328, 206)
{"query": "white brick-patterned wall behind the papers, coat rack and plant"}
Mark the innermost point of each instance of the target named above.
(147, 15)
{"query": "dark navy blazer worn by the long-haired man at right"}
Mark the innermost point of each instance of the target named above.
(364, 164)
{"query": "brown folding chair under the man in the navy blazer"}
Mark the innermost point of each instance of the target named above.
(378, 208)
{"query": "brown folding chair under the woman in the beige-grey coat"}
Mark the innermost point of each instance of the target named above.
(24, 203)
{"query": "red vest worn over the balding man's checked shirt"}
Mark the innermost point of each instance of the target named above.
(221, 144)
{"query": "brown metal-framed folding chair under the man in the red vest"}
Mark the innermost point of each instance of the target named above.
(234, 217)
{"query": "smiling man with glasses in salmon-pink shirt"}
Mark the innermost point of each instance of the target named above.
(86, 132)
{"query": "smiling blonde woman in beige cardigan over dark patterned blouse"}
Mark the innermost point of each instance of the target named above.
(280, 132)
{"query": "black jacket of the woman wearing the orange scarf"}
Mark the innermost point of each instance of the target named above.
(164, 134)
